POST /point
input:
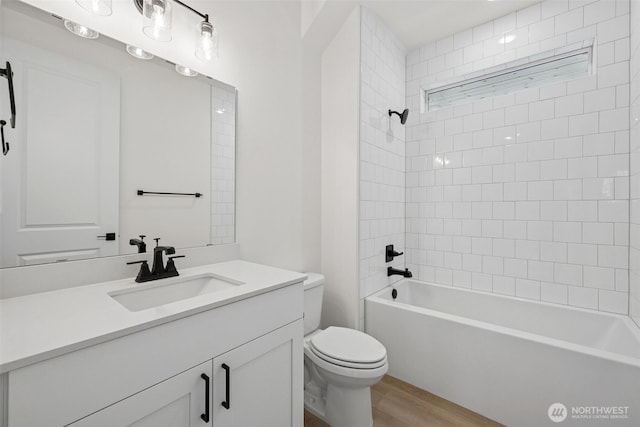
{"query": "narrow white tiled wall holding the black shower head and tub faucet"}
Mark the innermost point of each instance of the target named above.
(382, 152)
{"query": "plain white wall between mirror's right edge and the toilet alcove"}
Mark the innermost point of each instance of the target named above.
(263, 60)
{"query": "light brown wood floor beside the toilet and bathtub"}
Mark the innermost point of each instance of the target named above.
(398, 404)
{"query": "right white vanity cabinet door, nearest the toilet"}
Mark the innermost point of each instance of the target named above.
(260, 383)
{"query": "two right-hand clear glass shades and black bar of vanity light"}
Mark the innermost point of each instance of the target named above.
(157, 25)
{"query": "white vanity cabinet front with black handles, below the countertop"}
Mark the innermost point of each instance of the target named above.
(250, 351)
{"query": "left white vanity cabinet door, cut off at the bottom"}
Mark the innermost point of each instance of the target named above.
(180, 401)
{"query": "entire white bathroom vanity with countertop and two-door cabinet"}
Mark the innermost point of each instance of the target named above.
(230, 356)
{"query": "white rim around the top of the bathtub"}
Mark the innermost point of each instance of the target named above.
(512, 332)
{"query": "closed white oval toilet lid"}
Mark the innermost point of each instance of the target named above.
(348, 345)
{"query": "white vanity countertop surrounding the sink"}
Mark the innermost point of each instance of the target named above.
(41, 326)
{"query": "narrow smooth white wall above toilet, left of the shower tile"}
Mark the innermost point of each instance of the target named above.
(339, 174)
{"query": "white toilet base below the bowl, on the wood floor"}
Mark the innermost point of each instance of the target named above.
(348, 407)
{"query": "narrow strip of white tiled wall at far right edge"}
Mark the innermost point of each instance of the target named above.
(634, 146)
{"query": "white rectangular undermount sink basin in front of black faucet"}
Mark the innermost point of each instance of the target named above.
(165, 291)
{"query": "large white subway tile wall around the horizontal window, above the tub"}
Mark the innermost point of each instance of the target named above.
(526, 194)
